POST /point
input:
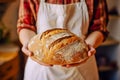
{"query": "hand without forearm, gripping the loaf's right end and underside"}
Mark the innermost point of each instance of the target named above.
(91, 52)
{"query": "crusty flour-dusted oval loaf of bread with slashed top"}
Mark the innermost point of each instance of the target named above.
(58, 47)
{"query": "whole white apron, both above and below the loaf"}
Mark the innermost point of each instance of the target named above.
(75, 18)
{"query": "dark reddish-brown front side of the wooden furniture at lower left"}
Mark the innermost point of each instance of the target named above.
(10, 69)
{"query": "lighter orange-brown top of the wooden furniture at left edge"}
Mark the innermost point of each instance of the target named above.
(8, 52)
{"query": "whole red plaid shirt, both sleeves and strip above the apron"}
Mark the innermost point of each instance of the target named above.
(97, 14)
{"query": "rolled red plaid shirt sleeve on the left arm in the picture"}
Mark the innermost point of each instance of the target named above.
(27, 15)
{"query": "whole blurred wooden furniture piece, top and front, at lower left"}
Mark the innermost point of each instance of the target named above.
(9, 62)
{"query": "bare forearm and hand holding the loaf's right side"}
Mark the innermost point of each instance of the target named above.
(93, 40)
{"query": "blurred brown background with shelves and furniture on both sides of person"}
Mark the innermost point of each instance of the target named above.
(12, 60)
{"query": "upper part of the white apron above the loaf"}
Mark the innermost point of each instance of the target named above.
(67, 16)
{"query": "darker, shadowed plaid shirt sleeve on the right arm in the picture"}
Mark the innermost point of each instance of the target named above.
(100, 18)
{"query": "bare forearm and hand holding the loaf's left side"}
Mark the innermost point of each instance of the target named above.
(25, 36)
